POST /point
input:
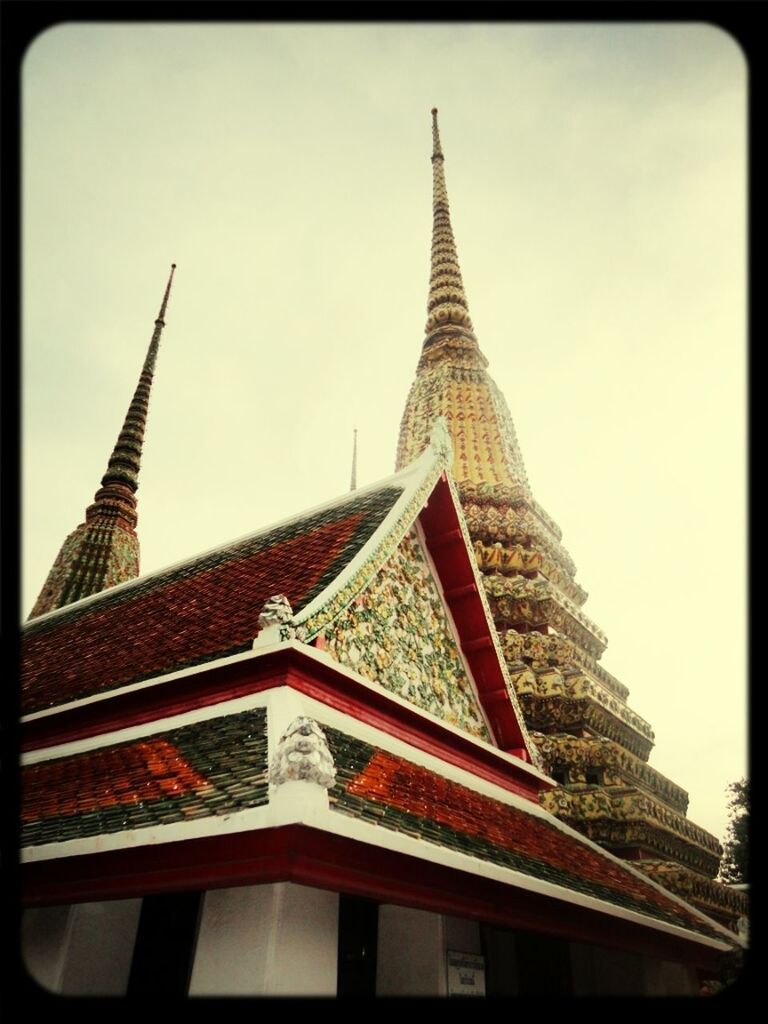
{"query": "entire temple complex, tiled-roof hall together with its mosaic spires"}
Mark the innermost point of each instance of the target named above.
(368, 750)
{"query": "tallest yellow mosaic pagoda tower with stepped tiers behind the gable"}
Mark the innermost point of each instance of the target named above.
(594, 745)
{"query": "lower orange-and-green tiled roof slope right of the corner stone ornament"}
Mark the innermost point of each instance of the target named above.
(385, 790)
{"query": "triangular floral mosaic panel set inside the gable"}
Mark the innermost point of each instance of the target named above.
(397, 633)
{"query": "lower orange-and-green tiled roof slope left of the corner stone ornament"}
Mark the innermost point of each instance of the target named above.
(215, 767)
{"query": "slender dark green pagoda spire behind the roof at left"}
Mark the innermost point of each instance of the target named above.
(104, 550)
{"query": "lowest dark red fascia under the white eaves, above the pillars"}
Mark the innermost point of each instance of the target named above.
(313, 858)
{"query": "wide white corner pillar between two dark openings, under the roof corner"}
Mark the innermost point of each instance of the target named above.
(268, 941)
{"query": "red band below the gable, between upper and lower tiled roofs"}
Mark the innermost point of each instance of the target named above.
(284, 667)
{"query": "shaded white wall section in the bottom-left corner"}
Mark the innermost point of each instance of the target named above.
(83, 950)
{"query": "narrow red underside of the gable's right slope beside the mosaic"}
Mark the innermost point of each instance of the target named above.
(452, 560)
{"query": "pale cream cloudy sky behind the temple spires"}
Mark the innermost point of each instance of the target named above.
(596, 176)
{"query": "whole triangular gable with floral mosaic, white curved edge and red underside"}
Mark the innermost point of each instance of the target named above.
(473, 690)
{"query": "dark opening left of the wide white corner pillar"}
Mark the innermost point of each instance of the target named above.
(165, 945)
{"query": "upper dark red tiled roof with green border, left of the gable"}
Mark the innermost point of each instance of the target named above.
(195, 613)
